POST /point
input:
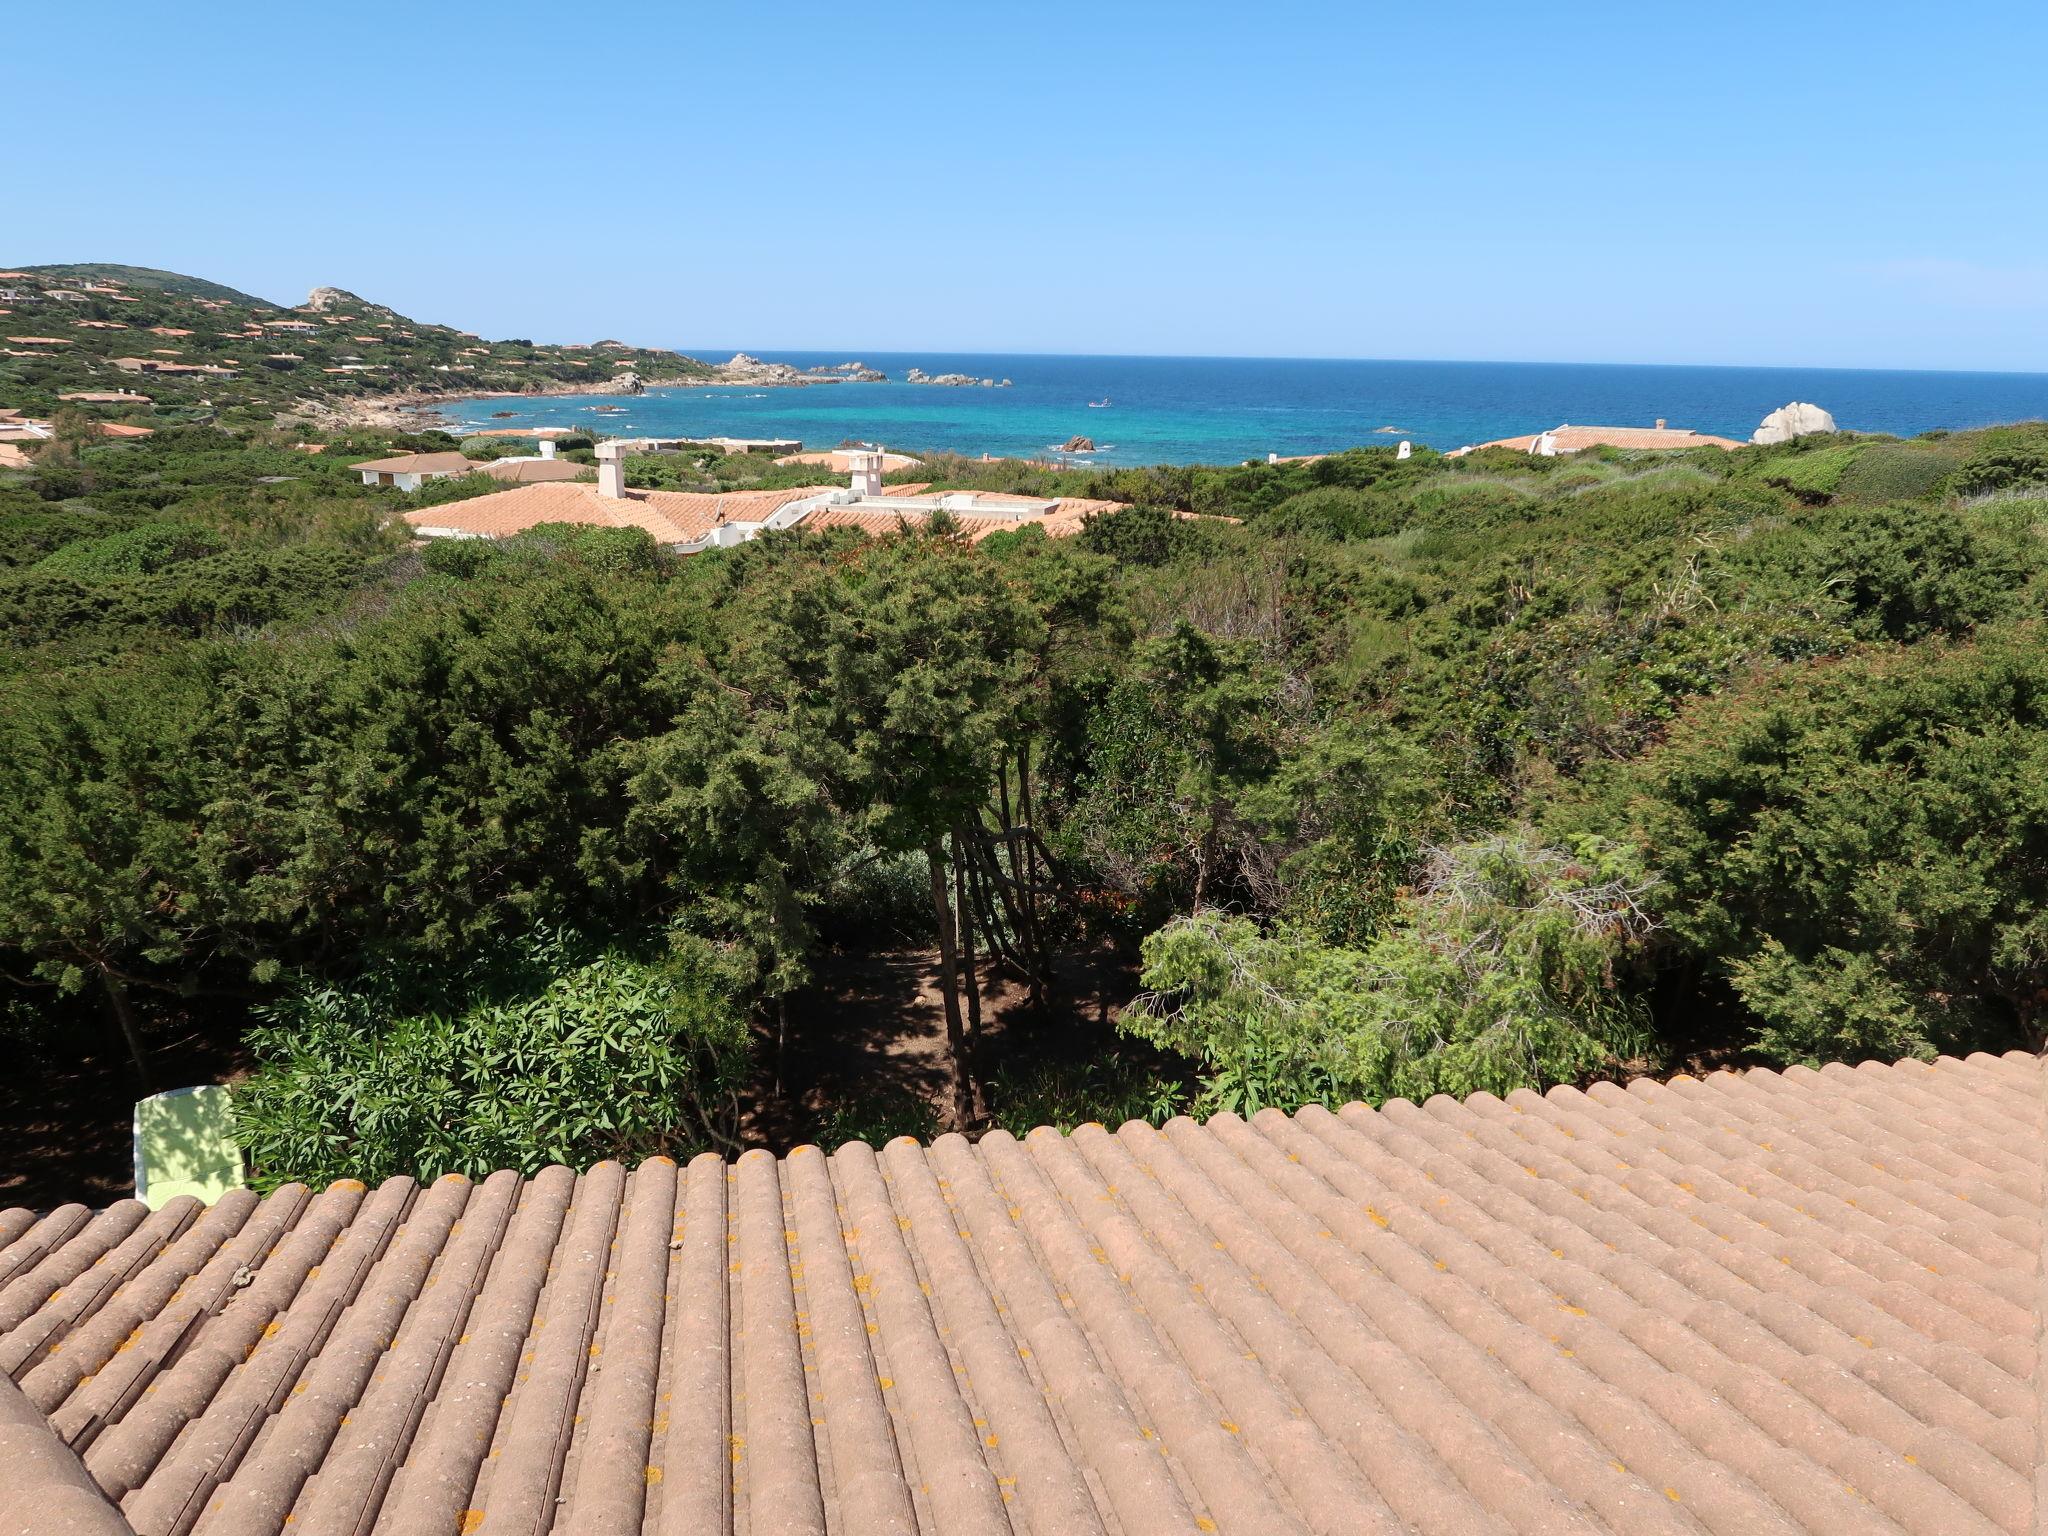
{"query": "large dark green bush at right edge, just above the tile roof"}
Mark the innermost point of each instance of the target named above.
(1861, 849)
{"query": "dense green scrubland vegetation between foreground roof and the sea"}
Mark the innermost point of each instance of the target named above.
(1390, 777)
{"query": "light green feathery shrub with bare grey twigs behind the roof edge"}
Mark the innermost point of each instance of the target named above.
(1496, 974)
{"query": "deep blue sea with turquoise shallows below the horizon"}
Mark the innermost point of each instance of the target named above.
(1224, 411)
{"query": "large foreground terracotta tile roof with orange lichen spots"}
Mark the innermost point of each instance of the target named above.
(1744, 1304)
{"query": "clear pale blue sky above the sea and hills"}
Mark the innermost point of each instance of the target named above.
(1814, 183)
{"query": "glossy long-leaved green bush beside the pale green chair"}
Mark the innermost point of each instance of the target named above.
(568, 1060)
